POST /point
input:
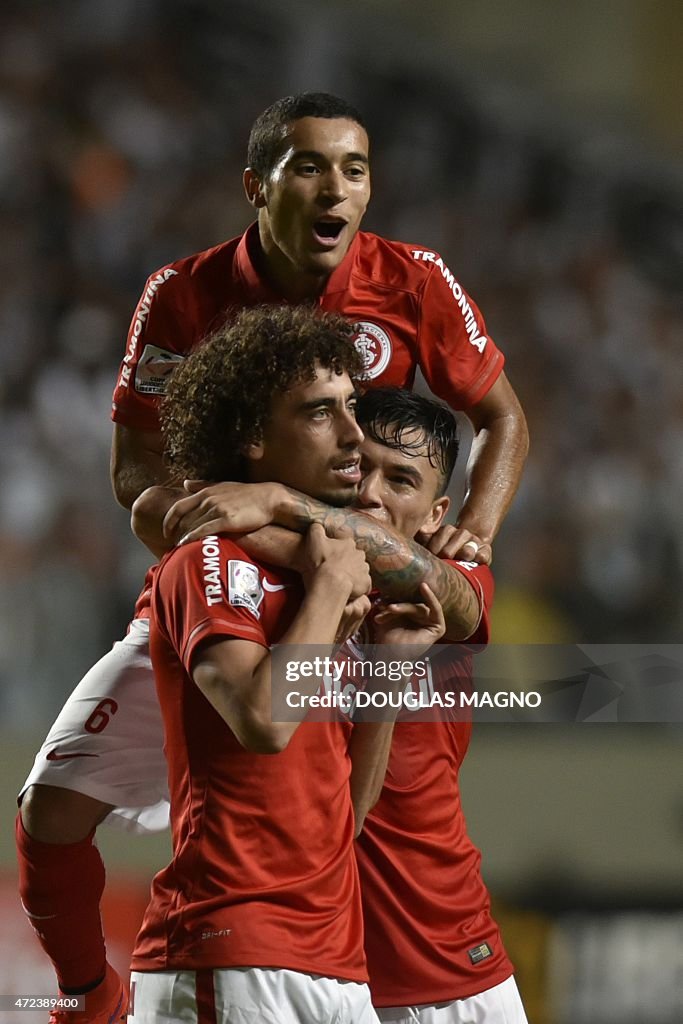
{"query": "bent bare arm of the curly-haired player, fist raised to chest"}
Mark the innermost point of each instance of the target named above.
(235, 675)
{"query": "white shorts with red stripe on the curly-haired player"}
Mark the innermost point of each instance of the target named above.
(246, 996)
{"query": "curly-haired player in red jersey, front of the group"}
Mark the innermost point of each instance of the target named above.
(261, 907)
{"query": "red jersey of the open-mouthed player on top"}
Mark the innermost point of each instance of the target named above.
(409, 309)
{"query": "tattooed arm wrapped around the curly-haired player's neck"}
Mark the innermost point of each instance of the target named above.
(398, 566)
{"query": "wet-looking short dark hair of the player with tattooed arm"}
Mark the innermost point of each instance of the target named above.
(409, 423)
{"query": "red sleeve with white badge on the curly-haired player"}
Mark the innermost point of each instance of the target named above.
(205, 590)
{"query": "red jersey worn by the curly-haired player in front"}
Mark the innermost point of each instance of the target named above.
(264, 873)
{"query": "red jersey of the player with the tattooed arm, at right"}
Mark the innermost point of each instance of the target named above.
(430, 934)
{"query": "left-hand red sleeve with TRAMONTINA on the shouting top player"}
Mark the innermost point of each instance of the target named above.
(158, 340)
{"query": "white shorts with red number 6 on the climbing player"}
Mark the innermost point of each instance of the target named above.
(108, 741)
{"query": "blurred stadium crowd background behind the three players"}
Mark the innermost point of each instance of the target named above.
(539, 147)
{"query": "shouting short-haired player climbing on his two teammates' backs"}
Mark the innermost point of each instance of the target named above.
(308, 182)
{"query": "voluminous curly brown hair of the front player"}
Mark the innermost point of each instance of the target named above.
(220, 399)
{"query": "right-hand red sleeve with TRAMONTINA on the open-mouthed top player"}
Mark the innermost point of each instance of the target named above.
(459, 360)
